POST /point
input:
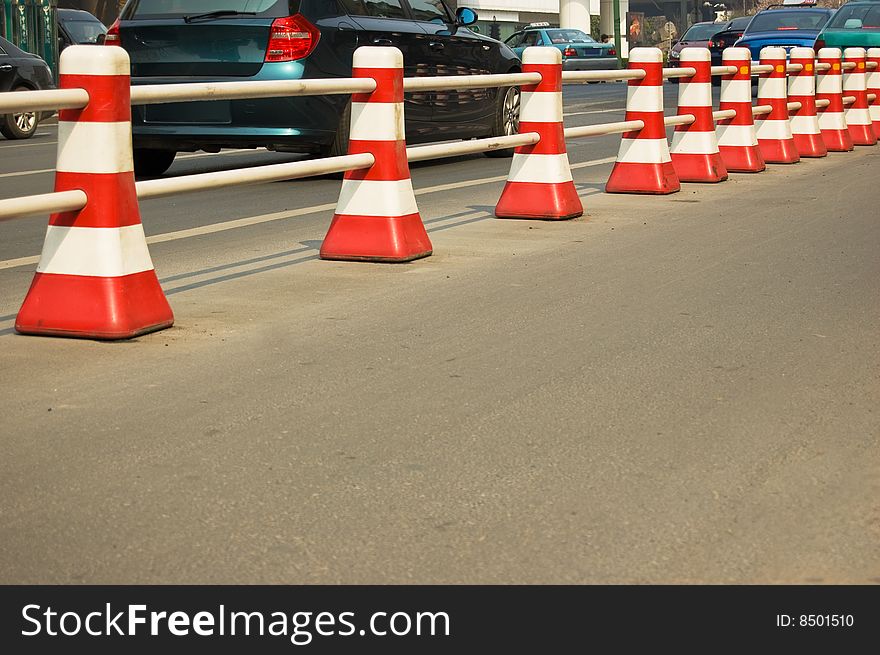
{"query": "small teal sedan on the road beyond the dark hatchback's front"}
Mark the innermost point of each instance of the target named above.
(579, 50)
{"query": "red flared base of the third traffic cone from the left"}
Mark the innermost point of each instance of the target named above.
(552, 201)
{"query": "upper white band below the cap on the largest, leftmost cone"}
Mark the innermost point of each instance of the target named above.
(94, 147)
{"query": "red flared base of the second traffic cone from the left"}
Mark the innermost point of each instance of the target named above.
(393, 239)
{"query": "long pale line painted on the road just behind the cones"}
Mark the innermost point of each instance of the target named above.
(276, 216)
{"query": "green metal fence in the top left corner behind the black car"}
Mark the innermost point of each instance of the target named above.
(32, 26)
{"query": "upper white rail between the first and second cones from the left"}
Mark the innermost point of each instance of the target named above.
(154, 94)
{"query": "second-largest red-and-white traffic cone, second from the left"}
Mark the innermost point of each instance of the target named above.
(377, 219)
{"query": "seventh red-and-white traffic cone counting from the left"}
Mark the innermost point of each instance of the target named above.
(773, 129)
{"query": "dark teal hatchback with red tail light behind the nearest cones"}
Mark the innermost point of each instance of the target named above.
(296, 39)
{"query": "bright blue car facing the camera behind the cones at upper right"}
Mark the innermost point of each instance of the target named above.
(785, 26)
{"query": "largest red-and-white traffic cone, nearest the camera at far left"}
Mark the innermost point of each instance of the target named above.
(95, 278)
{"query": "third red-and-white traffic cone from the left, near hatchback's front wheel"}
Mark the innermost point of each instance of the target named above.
(540, 184)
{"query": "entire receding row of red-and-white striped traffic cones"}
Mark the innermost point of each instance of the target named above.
(95, 278)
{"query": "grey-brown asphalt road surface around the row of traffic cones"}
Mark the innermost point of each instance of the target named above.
(668, 389)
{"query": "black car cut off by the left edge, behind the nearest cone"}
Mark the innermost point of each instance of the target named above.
(21, 71)
